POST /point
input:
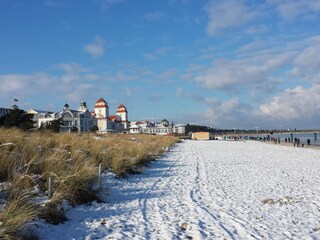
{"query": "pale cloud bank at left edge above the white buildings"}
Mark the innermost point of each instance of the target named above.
(70, 84)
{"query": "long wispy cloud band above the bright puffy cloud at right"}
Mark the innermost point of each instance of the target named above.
(259, 66)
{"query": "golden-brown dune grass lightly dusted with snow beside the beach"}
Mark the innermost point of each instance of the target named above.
(27, 159)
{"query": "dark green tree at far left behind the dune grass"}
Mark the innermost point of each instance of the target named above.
(17, 118)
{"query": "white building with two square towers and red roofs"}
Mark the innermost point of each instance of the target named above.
(111, 123)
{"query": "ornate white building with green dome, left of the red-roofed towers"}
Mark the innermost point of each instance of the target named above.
(80, 120)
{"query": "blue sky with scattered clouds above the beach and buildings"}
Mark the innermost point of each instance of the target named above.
(224, 64)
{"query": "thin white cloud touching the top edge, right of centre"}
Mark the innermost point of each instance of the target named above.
(228, 14)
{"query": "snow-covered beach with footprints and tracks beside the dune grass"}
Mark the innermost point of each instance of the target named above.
(206, 190)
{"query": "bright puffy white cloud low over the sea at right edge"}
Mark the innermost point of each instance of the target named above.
(294, 104)
